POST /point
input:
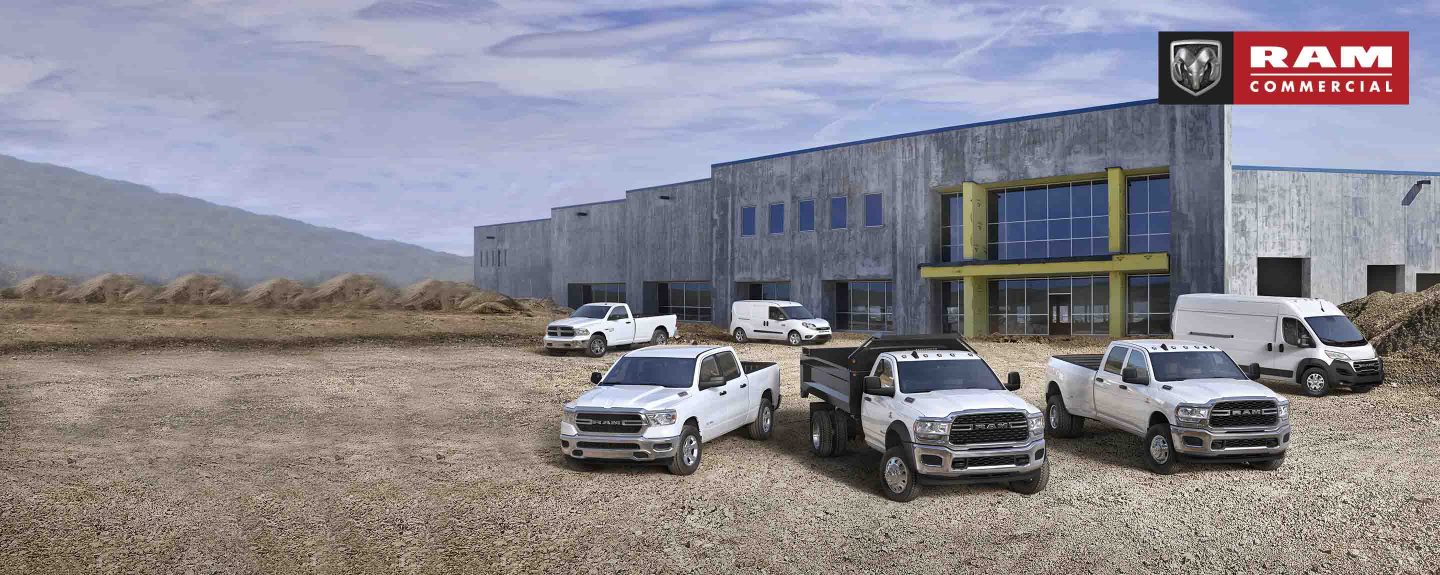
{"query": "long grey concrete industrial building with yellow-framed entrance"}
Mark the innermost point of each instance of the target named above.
(1079, 223)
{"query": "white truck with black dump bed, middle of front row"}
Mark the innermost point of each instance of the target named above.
(932, 407)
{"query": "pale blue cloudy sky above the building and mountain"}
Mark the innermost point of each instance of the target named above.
(417, 120)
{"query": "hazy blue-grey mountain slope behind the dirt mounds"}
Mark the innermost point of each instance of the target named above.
(60, 221)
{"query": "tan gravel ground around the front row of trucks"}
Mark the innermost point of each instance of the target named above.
(443, 459)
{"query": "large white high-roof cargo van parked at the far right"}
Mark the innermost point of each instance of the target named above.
(1304, 341)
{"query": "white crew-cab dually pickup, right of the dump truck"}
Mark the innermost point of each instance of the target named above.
(1187, 400)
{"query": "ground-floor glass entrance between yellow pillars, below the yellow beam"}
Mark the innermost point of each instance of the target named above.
(1035, 306)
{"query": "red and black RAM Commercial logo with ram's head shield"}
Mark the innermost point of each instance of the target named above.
(1285, 68)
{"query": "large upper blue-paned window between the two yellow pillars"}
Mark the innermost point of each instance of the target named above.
(1055, 221)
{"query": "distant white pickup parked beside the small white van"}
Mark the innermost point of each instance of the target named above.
(598, 328)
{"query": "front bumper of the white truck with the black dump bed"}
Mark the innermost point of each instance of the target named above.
(978, 465)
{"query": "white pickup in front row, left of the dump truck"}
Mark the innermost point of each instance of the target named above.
(660, 404)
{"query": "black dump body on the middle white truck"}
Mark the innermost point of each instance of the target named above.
(837, 374)
